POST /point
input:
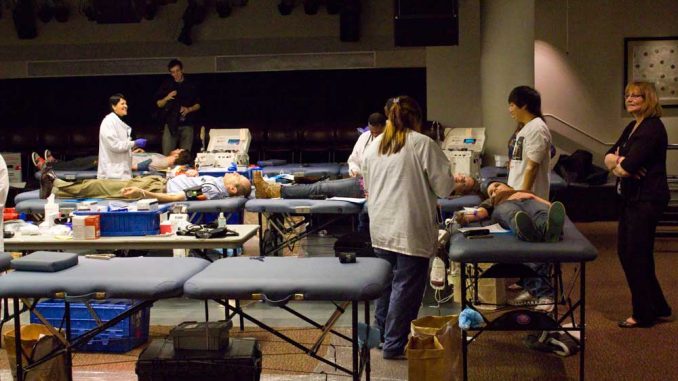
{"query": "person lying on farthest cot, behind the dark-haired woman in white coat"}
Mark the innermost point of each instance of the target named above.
(141, 161)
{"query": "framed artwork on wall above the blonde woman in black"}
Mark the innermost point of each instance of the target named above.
(653, 59)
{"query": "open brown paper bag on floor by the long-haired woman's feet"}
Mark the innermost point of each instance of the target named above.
(434, 349)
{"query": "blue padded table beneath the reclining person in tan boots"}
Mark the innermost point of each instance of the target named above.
(278, 213)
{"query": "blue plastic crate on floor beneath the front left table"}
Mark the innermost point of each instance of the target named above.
(122, 337)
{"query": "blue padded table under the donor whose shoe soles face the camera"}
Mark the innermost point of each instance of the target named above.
(508, 253)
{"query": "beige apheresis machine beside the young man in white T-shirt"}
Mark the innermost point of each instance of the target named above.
(464, 148)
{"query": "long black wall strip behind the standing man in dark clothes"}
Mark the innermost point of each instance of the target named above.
(295, 96)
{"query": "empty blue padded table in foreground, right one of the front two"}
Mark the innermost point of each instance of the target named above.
(278, 280)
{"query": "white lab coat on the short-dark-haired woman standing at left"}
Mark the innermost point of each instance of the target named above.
(115, 149)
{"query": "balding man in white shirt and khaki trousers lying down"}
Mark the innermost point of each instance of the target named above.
(185, 187)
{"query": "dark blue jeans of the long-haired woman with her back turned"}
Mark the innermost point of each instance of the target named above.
(399, 304)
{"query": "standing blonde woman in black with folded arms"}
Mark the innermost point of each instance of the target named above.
(638, 160)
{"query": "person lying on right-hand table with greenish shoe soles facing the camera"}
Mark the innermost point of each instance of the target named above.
(529, 216)
